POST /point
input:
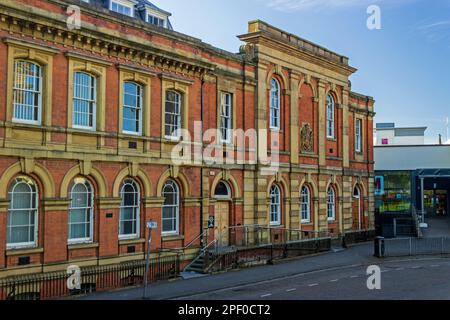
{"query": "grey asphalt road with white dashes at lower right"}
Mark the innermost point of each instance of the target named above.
(400, 280)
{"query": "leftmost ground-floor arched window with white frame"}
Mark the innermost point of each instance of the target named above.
(22, 214)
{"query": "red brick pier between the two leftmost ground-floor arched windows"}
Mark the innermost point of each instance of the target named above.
(55, 230)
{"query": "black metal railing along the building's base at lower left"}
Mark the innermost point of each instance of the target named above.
(93, 279)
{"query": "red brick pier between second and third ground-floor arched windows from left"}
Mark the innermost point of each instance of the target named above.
(108, 226)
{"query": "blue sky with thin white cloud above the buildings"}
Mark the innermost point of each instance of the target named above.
(405, 66)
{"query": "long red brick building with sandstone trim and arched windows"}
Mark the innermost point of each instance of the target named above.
(88, 120)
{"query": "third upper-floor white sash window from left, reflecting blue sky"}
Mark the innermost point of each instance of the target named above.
(132, 108)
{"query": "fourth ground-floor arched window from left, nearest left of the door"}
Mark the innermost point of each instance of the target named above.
(171, 208)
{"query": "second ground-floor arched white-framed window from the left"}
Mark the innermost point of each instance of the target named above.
(81, 212)
